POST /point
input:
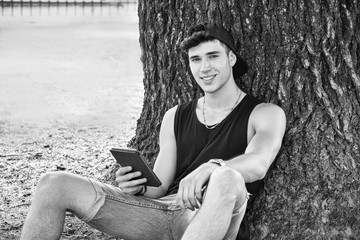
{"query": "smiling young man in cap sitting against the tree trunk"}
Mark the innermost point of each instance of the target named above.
(214, 153)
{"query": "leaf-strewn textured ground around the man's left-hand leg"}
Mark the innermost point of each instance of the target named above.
(26, 155)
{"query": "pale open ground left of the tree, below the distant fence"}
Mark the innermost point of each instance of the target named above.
(70, 89)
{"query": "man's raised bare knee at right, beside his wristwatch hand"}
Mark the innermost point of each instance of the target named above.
(229, 184)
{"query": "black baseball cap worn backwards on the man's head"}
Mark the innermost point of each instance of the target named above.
(217, 31)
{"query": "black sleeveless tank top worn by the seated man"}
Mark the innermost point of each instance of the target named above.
(196, 144)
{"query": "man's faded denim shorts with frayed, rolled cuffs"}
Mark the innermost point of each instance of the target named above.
(131, 217)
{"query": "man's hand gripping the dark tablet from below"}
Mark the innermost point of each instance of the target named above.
(124, 180)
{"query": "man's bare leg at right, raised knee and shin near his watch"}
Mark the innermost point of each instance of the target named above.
(222, 197)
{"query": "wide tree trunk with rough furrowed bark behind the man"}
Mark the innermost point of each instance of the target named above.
(305, 57)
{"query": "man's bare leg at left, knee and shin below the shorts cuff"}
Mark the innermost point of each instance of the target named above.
(55, 194)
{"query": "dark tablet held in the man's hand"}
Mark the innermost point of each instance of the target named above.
(133, 158)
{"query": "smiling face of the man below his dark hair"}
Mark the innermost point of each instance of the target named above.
(211, 65)
